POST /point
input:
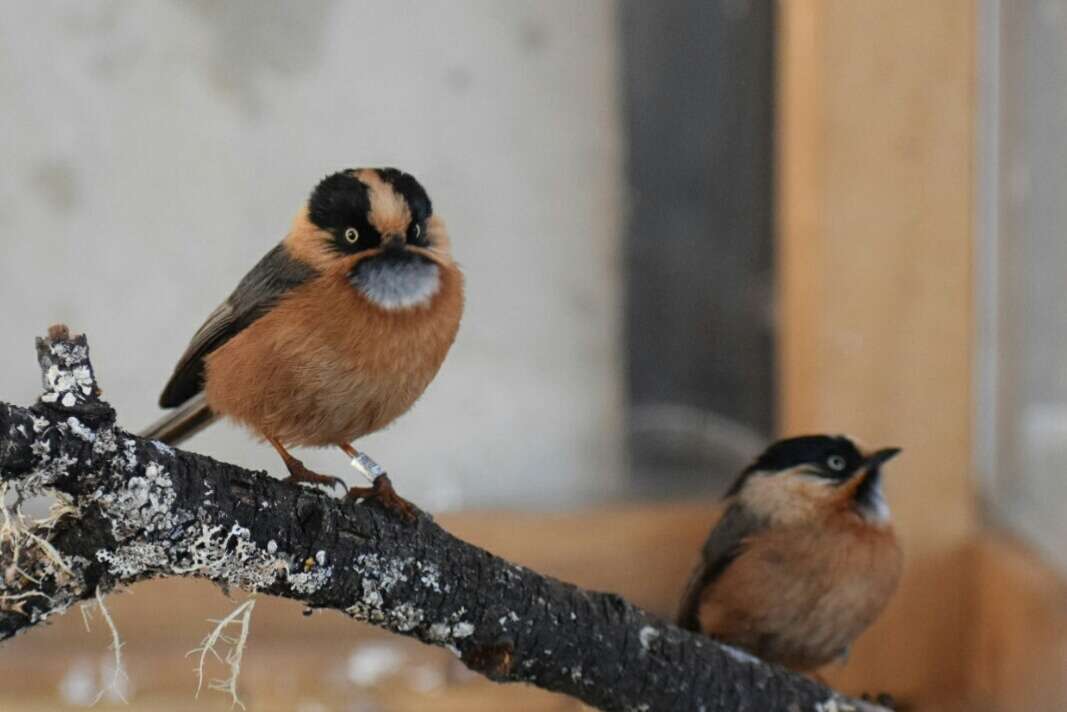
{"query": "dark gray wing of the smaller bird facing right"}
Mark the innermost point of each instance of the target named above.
(725, 544)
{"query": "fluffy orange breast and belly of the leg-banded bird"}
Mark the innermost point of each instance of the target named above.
(326, 366)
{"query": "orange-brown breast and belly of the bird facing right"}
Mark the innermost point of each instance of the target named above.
(801, 595)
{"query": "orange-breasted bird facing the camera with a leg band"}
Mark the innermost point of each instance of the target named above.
(335, 334)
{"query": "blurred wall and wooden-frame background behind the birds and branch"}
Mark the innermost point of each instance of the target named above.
(688, 227)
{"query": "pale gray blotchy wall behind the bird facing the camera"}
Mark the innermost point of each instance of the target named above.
(152, 152)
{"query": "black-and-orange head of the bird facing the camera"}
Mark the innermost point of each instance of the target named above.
(378, 227)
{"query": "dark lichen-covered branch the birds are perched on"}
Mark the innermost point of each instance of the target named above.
(131, 510)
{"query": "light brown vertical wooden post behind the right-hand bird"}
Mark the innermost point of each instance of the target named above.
(877, 115)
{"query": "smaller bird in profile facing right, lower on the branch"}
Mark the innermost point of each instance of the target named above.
(804, 558)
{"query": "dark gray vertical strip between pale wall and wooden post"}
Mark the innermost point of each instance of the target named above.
(699, 112)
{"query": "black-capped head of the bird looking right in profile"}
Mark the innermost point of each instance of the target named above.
(810, 476)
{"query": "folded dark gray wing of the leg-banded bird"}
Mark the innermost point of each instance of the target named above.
(272, 279)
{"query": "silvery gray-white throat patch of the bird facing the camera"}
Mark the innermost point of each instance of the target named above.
(397, 282)
